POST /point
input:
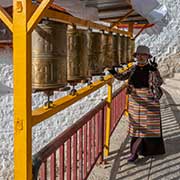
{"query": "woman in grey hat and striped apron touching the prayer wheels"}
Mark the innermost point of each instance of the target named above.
(144, 91)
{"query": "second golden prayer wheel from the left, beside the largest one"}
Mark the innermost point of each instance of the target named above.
(77, 54)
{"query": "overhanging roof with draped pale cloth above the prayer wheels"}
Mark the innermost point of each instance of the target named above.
(117, 12)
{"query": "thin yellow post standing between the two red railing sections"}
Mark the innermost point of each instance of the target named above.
(108, 119)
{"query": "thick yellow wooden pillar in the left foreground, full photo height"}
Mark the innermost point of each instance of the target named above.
(22, 91)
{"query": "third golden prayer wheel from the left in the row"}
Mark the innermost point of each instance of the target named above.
(96, 56)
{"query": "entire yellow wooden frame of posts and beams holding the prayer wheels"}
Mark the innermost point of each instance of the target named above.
(25, 18)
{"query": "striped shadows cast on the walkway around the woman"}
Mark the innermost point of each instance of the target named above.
(158, 167)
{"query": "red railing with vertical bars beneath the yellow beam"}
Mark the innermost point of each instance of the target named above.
(73, 154)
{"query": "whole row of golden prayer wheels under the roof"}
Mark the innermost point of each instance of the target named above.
(62, 54)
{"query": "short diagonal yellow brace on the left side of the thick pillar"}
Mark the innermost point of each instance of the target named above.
(6, 18)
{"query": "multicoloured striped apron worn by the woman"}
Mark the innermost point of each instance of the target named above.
(144, 114)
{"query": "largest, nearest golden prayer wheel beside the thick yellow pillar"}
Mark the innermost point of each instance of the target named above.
(49, 56)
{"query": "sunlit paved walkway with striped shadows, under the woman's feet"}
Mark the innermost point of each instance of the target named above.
(164, 167)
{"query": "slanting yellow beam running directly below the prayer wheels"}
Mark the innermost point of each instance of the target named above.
(40, 114)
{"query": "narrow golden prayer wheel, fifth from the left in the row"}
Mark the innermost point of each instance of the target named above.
(116, 39)
